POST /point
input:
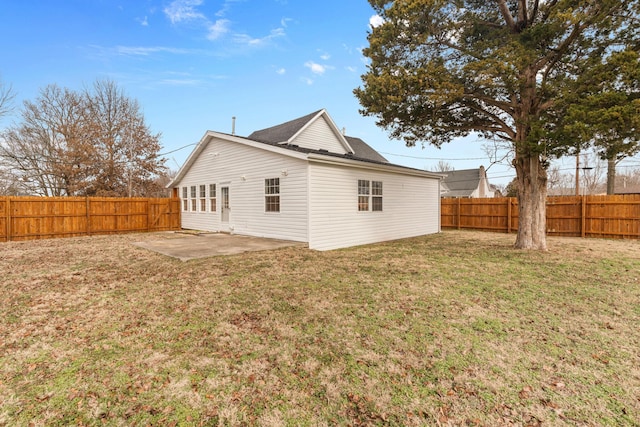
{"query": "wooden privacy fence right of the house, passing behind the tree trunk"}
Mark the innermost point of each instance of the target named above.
(582, 216)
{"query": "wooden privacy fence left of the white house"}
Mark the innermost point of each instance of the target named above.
(29, 218)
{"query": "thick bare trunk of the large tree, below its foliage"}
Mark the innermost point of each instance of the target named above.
(532, 197)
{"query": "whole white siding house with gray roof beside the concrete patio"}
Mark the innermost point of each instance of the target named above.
(304, 181)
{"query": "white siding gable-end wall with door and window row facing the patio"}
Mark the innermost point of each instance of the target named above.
(225, 163)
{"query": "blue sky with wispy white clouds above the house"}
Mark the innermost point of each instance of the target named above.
(193, 64)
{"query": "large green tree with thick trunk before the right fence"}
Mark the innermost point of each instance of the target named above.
(442, 69)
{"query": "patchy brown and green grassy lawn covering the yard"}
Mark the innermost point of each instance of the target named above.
(450, 329)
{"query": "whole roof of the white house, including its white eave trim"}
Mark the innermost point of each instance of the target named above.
(282, 139)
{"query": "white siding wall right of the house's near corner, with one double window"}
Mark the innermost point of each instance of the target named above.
(411, 207)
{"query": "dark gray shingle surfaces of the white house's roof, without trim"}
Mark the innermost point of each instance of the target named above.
(283, 133)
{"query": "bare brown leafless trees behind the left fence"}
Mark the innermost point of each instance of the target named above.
(93, 142)
